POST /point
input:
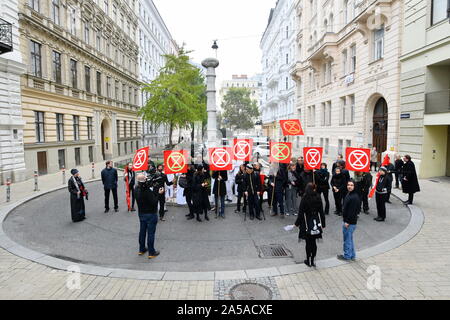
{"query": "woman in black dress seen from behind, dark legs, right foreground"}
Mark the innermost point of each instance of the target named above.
(311, 222)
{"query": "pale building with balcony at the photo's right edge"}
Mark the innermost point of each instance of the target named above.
(425, 87)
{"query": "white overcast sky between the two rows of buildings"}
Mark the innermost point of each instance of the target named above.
(237, 24)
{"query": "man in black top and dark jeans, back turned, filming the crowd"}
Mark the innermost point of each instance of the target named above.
(147, 201)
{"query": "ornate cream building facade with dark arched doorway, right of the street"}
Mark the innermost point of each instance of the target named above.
(348, 74)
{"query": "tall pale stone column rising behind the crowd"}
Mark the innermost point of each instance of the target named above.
(211, 64)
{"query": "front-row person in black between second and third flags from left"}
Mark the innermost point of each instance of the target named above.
(200, 192)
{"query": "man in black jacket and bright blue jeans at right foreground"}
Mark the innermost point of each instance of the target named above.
(352, 205)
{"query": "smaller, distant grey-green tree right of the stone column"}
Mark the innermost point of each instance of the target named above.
(239, 110)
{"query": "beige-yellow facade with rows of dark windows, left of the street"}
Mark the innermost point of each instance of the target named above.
(80, 94)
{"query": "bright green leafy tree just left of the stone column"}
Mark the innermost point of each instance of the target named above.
(177, 95)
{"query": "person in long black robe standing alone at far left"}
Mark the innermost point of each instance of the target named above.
(77, 194)
